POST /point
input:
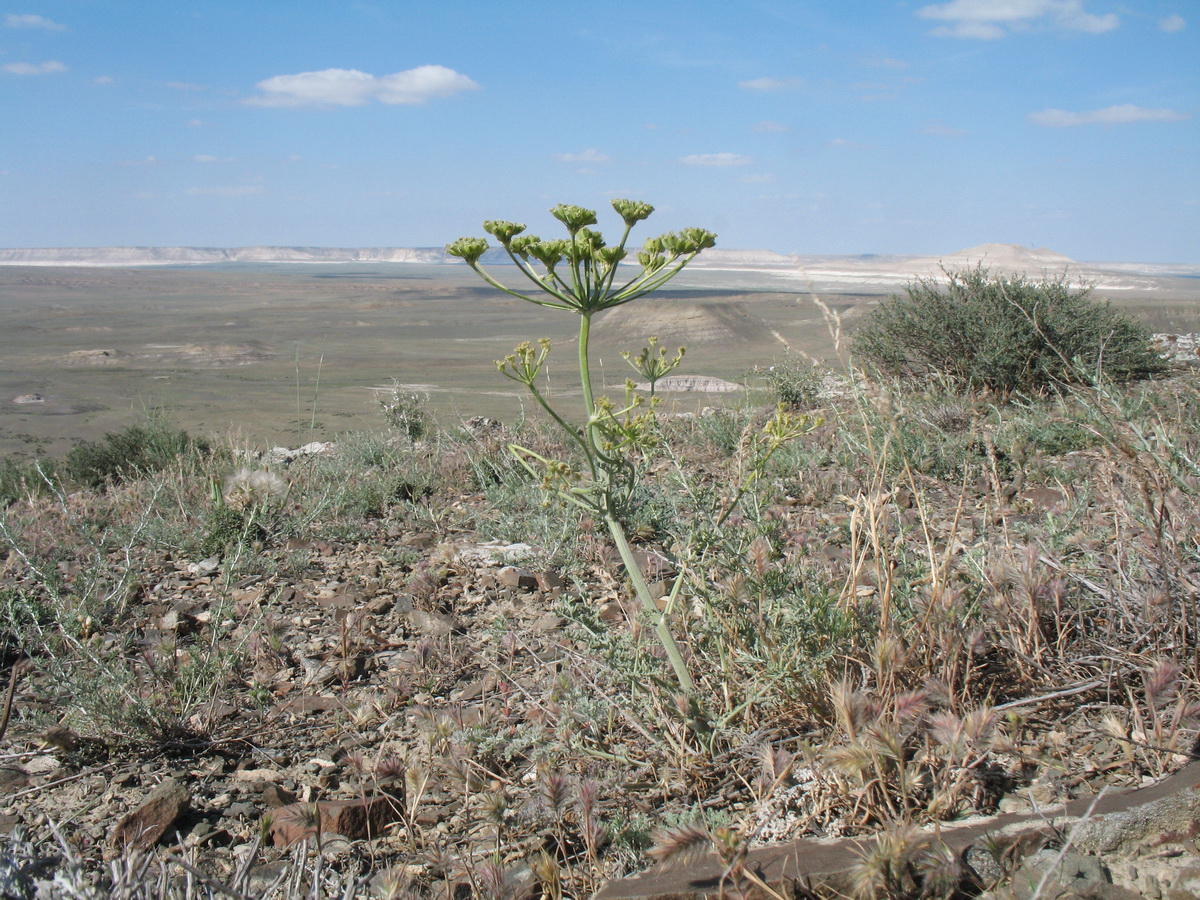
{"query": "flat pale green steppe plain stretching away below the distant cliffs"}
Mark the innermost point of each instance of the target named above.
(267, 355)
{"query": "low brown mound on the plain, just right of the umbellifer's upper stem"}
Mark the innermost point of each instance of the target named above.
(687, 322)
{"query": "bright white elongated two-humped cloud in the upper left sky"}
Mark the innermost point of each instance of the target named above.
(351, 88)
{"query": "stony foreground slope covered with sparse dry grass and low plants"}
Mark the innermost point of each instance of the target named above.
(934, 605)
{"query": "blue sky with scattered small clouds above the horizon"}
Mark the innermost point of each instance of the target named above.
(785, 125)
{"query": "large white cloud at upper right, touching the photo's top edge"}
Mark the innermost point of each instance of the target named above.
(992, 20)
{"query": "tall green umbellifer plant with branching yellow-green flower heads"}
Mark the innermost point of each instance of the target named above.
(580, 274)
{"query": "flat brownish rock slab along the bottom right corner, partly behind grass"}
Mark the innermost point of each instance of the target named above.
(1112, 823)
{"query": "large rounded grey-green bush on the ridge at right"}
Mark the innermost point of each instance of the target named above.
(1005, 334)
